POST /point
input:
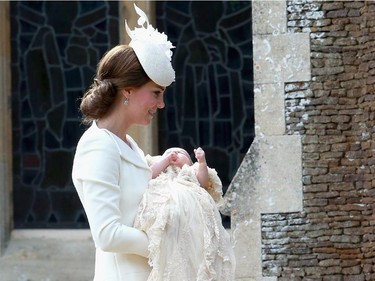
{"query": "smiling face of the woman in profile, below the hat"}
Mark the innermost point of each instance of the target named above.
(144, 103)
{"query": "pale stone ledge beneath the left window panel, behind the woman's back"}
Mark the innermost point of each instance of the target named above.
(48, 255)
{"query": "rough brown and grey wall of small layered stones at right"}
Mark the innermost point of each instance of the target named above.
(334, 237)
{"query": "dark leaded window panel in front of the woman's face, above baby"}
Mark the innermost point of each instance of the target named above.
(211, 103)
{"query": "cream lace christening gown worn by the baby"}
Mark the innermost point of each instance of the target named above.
(187, 239)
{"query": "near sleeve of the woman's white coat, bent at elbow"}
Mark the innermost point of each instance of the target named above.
(96, 172)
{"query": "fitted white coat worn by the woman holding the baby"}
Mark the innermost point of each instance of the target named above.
(110, 178)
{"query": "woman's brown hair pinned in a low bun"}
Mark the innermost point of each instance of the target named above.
(118, 69)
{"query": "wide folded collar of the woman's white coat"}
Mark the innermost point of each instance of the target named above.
(132, 153)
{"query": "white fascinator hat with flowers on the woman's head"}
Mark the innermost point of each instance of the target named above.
(153, 50)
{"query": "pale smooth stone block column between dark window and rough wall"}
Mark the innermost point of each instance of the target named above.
(269, 179)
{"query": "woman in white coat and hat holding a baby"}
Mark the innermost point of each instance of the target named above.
(110, 172)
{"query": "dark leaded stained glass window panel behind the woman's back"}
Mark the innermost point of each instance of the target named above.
(56, 46)
